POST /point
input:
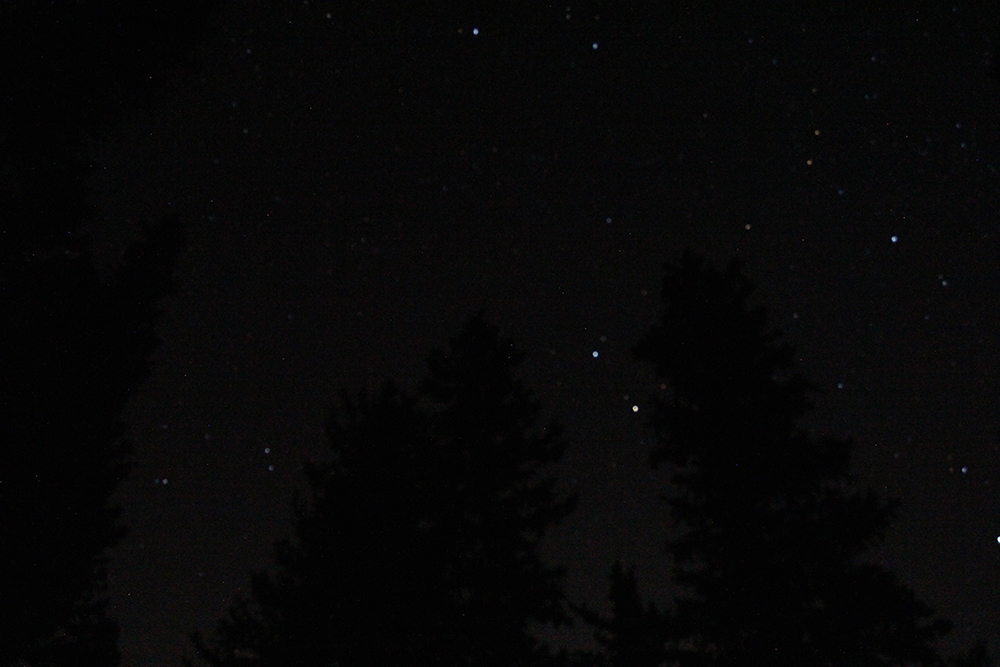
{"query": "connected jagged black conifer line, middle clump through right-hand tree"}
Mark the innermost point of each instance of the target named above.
(420, 541)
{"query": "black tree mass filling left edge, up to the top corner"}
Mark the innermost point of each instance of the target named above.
(77, 343)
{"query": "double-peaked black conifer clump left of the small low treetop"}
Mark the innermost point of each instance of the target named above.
(421, 541)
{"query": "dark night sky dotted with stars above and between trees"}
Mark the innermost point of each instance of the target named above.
(357, 180)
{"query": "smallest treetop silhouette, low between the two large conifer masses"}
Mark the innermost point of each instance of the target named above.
(634, 635)
